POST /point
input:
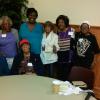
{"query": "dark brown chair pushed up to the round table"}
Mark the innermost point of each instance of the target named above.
(82, 74)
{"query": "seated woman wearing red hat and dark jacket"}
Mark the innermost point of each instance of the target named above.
(26, 62)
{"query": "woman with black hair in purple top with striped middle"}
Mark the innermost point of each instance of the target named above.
(65, 41)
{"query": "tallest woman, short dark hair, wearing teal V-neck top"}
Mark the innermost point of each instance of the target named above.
(32, 31)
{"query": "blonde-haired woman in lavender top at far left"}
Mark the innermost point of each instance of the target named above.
(8, 40)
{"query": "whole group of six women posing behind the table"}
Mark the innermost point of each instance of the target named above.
(45, 49)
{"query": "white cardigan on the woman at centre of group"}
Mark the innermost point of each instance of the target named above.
(48, 56)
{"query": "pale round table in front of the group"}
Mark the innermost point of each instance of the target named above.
(31, 87)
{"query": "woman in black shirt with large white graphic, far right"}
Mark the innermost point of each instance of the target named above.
(86, 46)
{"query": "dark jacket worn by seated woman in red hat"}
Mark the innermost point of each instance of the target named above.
(35, 60)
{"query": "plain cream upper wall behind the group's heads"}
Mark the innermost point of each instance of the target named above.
(76, 10)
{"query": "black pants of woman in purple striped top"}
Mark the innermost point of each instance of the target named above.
(64, 66)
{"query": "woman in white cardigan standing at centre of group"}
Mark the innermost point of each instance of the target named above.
(49, 49)
